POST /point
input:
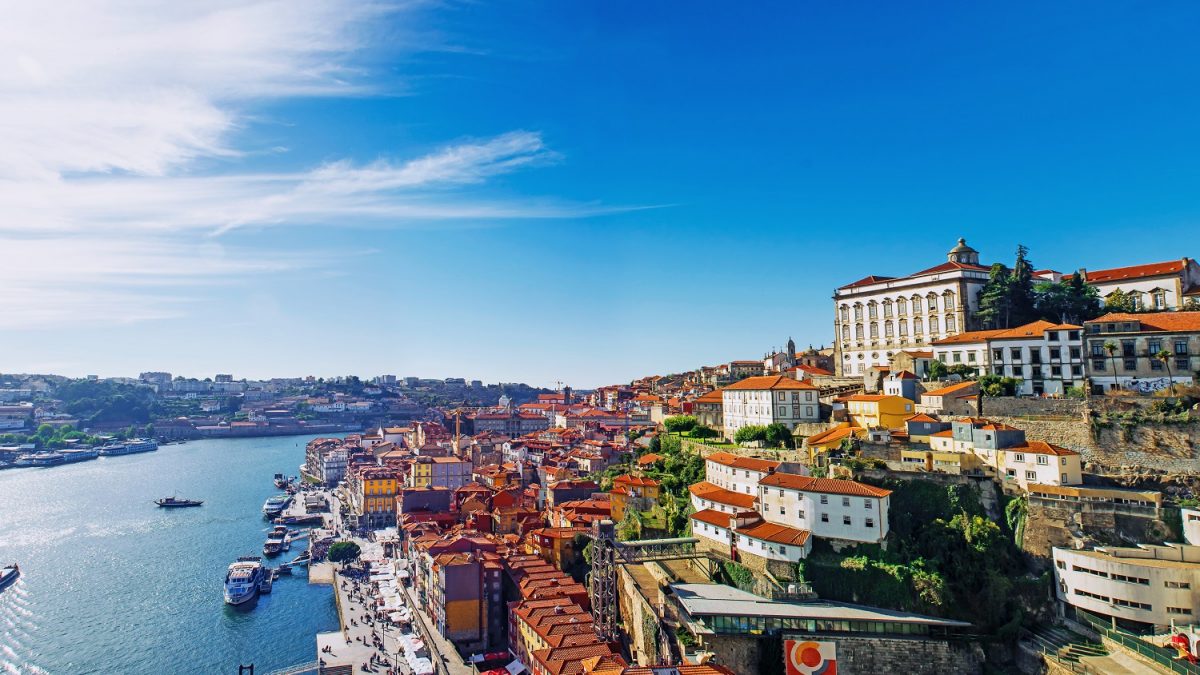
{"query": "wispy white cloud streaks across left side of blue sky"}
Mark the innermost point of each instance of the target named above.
(112, 116)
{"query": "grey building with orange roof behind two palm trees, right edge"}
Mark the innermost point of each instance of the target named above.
(1137, 339)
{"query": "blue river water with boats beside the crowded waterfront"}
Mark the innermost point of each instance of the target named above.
(113, 584)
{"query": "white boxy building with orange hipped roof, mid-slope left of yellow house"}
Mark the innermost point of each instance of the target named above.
(769, 399)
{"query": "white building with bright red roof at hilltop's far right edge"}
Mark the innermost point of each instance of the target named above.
(1156, 286)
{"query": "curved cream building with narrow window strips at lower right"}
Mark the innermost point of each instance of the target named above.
(1149, 586)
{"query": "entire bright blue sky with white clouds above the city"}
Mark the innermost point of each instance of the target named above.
(583, 193)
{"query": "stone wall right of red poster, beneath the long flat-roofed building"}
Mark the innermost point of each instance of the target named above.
(872, 655)
